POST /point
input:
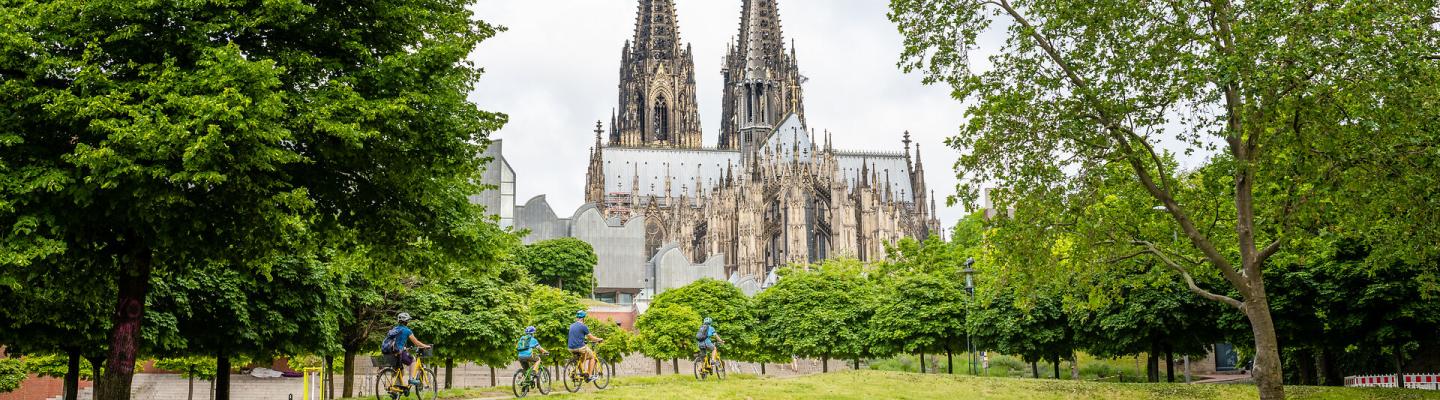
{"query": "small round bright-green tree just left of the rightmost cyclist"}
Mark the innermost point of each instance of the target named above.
(669, 332)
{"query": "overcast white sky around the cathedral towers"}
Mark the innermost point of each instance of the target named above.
(555, 73)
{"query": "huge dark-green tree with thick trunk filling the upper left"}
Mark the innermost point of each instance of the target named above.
(178, 135)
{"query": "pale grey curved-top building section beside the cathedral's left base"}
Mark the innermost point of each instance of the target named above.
(620, 247)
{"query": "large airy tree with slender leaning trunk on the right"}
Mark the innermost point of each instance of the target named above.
(1079, 87)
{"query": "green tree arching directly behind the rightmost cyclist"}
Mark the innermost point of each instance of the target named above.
(732, 312)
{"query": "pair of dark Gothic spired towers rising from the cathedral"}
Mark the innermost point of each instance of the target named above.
(657, 88)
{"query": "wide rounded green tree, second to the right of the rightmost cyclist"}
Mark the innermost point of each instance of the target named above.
(822, 312)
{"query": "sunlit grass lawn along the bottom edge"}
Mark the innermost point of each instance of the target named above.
(891, 385)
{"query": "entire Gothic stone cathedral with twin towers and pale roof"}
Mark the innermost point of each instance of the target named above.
(773, 191)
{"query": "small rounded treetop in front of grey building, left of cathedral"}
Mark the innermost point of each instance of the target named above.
(567, 264)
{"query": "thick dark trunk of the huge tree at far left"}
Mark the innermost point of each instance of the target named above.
(133, 286)
